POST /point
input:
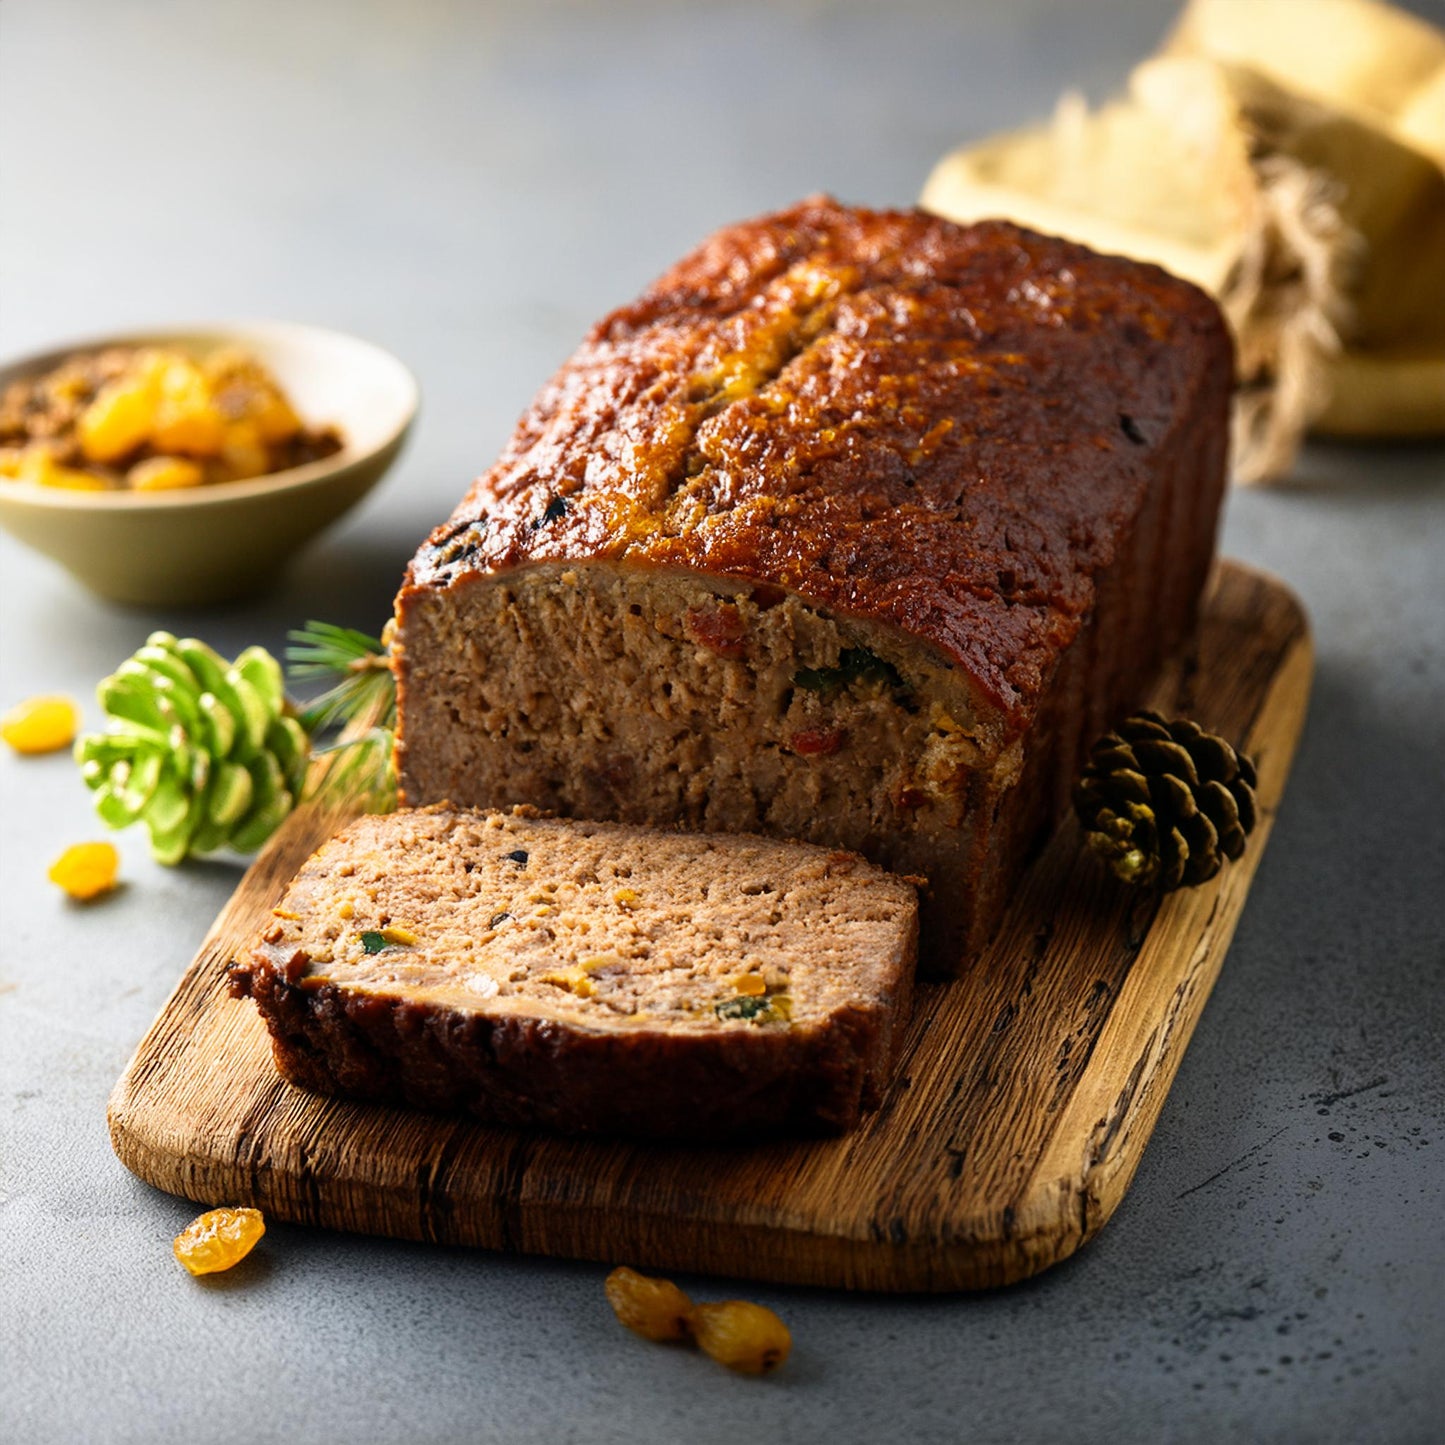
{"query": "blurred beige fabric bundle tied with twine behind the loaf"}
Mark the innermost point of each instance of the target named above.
(1288, 158)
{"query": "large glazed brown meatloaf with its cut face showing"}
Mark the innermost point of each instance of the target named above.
(855, 528)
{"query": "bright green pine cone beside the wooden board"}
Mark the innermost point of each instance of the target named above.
(203, 752)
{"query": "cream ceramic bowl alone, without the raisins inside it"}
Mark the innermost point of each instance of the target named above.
(210, 544)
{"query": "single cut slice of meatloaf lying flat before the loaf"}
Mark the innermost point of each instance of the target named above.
(589, 978)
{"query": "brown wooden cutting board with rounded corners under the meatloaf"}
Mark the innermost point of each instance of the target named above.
(1027, 1093)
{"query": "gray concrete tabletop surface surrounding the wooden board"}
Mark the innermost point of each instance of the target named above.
(470, 187)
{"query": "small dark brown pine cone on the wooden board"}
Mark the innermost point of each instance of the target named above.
(1164, 803)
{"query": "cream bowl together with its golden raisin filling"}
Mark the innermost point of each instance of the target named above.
(186, 467)
